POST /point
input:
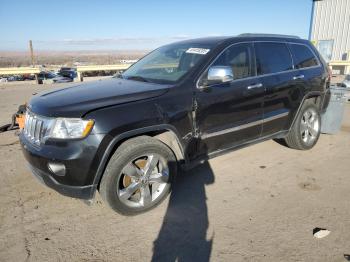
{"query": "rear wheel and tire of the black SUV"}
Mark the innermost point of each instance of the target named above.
(306, 129)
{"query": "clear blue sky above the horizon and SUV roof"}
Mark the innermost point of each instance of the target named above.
(130, 25)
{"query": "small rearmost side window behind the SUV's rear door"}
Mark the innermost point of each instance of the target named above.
(302, 56)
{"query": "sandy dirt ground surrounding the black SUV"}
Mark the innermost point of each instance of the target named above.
(260, 203)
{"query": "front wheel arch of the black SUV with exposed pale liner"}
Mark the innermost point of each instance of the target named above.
(167, 134)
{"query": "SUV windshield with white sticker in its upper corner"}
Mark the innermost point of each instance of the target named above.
(167, 64)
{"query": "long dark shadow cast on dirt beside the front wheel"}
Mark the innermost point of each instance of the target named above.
(183, 235)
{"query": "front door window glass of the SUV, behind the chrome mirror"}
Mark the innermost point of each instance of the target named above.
(239, 58)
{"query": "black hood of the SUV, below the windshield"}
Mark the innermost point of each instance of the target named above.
(75, 101)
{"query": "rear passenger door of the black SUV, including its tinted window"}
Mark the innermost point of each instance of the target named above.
(276, 71)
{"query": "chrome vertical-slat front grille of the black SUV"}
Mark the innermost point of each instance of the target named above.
(34, 128)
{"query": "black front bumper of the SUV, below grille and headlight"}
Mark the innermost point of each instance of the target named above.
(81, 159)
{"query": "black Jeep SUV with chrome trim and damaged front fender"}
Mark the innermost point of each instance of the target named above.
(179, 105)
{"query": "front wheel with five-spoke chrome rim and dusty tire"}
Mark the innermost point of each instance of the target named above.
(138, 176)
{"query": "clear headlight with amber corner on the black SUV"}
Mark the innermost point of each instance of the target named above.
(70, 128)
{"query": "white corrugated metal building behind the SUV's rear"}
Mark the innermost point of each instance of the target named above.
(329, 31)
